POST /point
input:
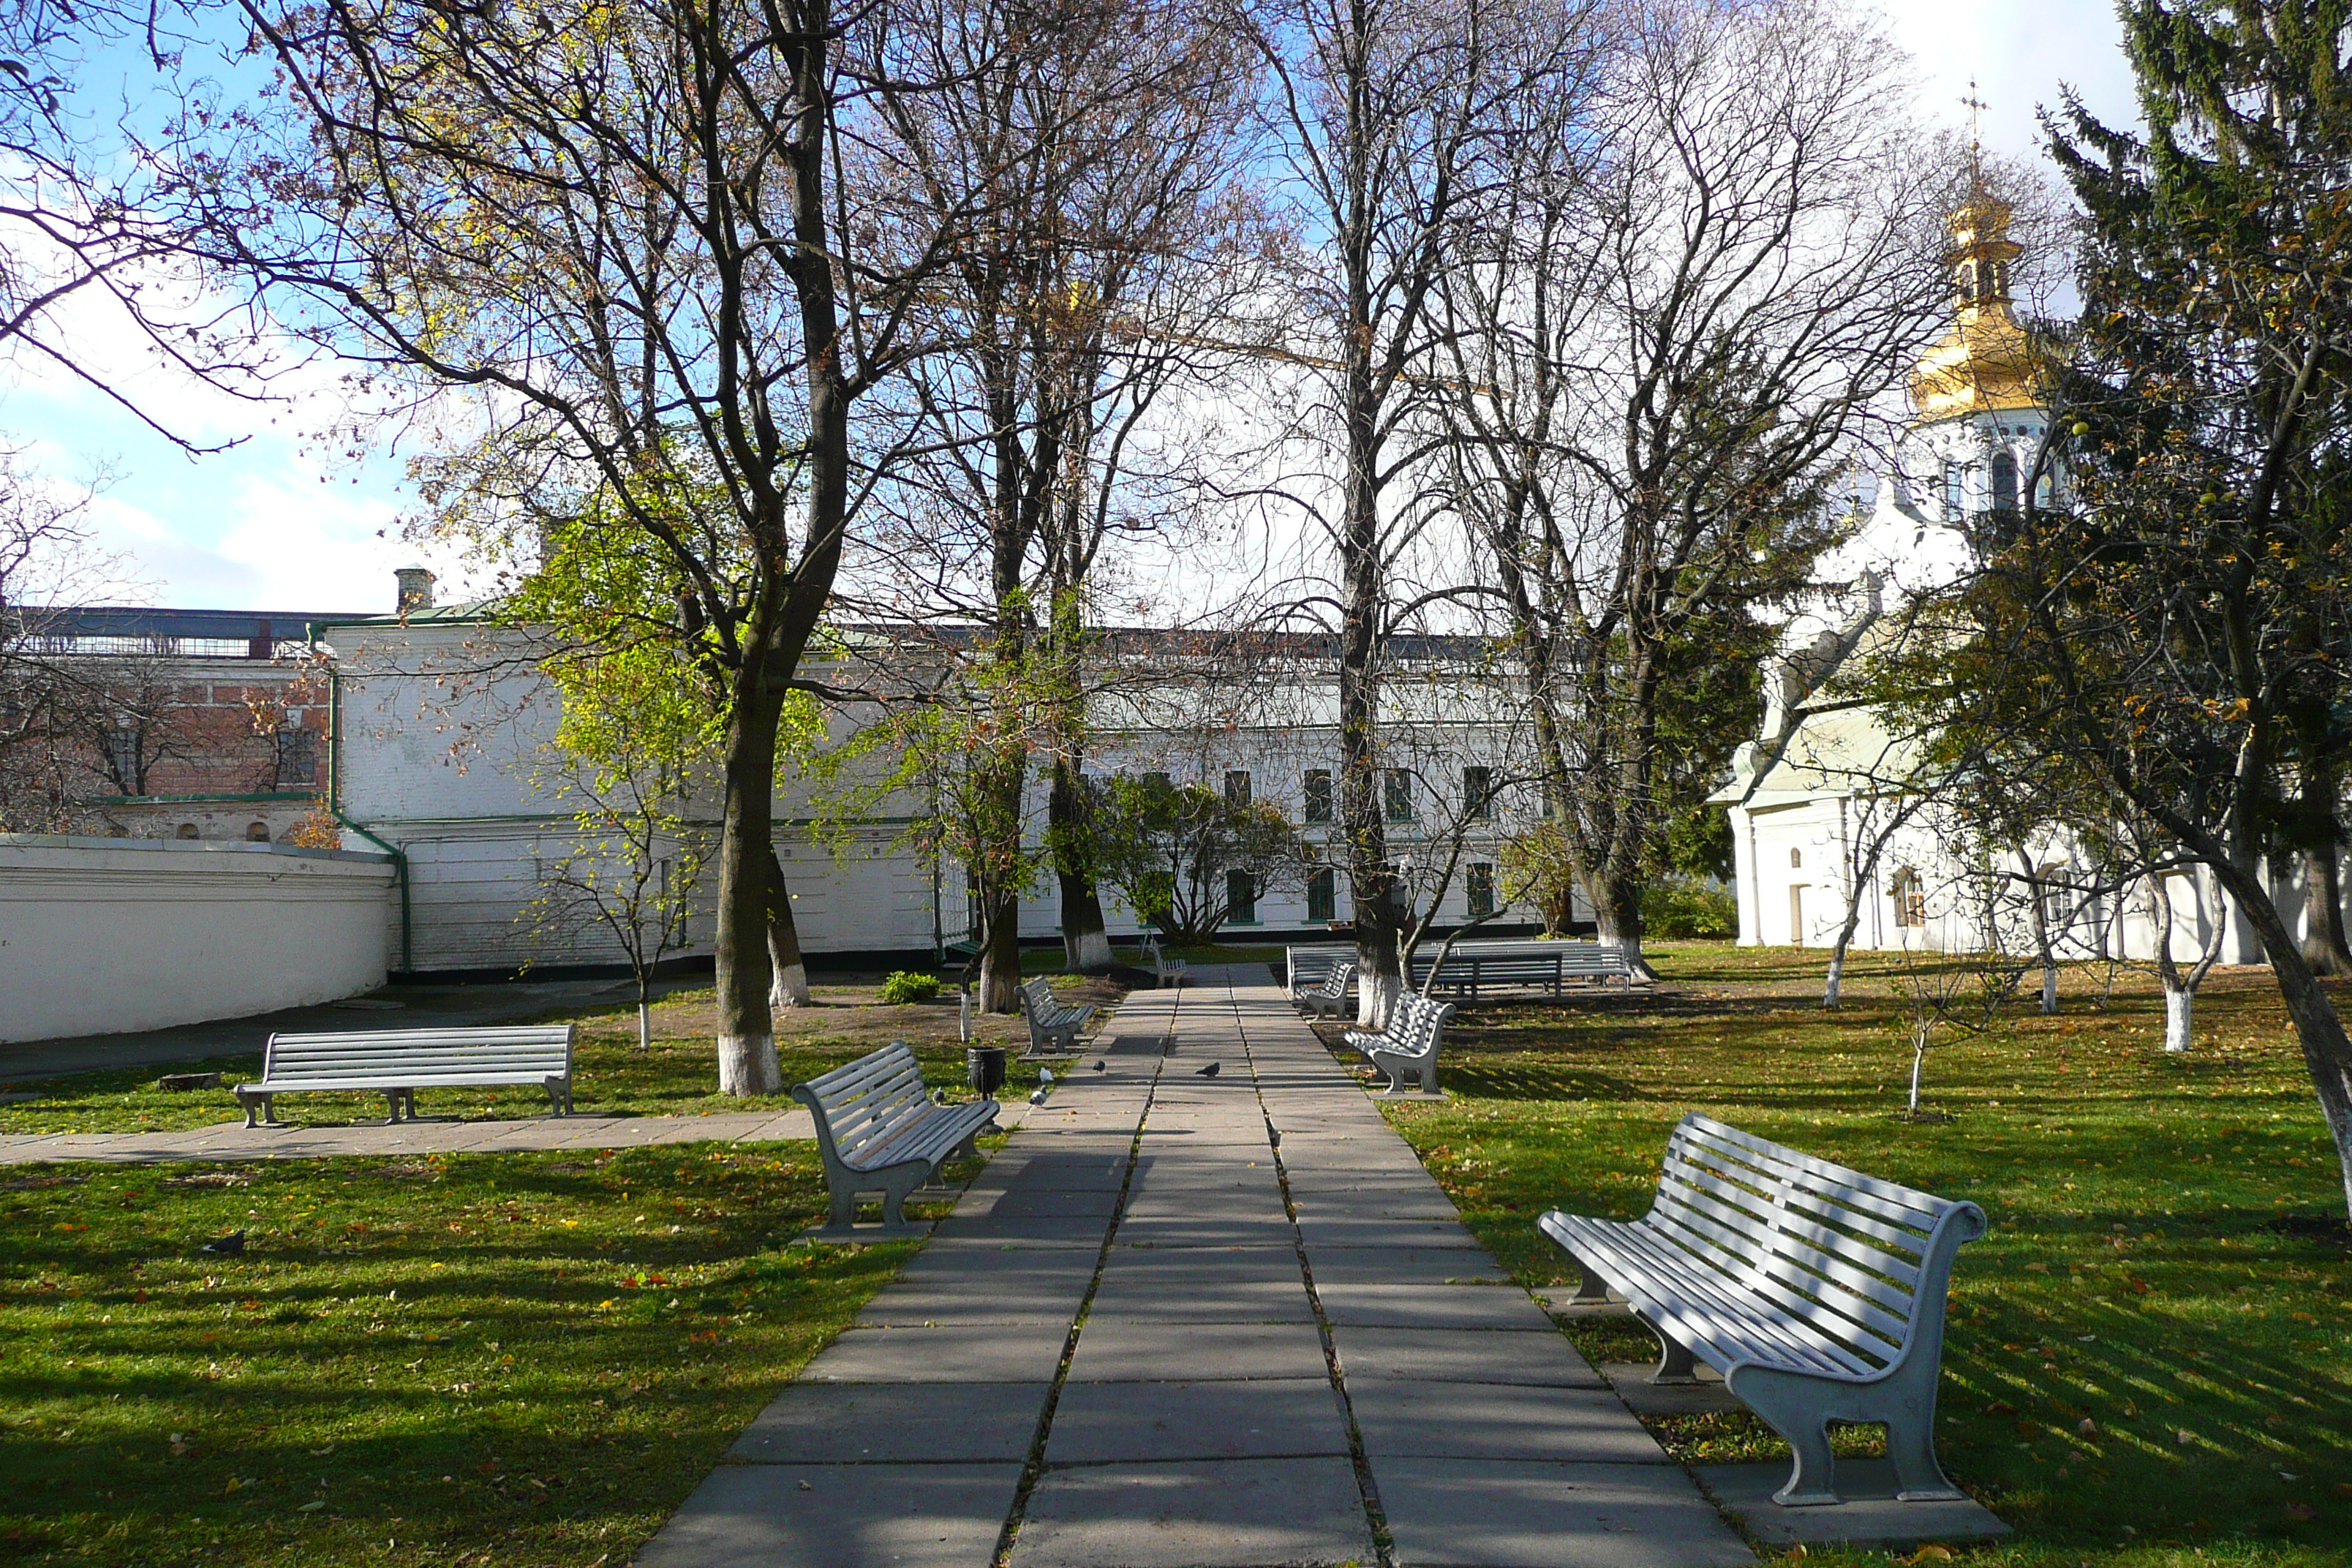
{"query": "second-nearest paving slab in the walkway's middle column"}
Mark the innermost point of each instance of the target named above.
(1100, 1423)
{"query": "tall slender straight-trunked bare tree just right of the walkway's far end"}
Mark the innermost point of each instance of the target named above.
(1384, 116)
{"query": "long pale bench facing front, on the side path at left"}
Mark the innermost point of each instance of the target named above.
(396, 1064)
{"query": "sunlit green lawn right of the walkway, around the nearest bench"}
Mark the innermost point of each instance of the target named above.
(2151, 1353)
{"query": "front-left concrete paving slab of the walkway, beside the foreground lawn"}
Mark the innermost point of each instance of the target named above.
(838, 1517)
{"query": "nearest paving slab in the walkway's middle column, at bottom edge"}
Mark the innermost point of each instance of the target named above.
(1196, 1515)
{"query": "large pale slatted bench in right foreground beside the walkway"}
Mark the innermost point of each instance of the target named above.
(1817, 1292)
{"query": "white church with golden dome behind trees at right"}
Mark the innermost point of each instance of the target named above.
(1829, 810)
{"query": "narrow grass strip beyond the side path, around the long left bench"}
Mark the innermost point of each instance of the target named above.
(613, 1078)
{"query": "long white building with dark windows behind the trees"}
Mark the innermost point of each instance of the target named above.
(441, 753)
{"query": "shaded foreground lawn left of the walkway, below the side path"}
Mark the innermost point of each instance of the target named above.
(493, 1360)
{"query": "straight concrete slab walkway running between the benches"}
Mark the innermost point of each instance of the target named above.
(1201, 1322)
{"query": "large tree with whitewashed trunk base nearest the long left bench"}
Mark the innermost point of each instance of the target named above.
(620, 234)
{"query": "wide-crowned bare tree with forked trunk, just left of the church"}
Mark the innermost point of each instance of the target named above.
(1683, 314)
